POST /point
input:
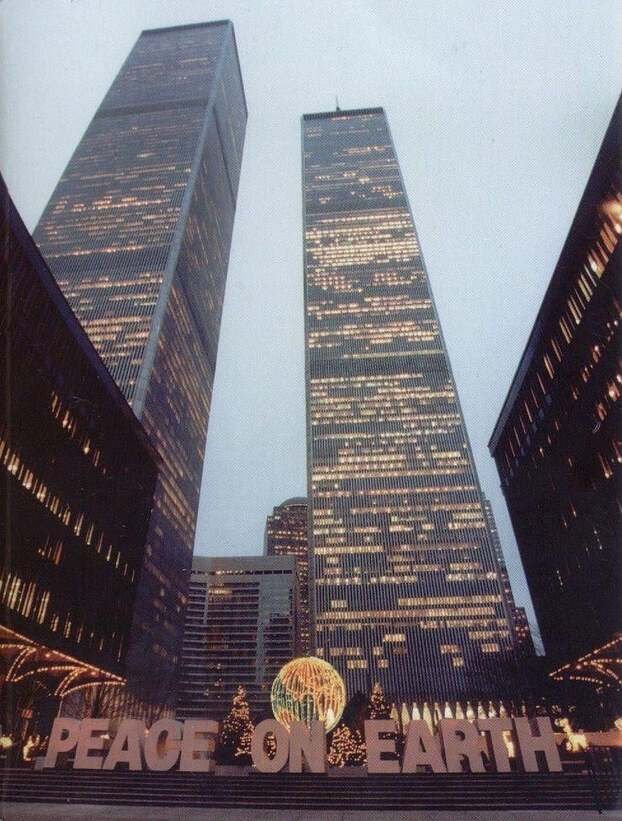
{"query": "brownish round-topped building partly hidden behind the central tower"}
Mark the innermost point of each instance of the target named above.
(287, 535)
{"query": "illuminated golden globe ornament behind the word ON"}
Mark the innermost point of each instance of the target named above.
(308, 688)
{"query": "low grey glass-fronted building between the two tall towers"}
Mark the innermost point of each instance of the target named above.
(240, 630)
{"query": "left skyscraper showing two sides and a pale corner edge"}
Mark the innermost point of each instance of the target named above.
(137, 234)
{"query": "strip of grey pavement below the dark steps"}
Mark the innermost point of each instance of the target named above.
(92, 812)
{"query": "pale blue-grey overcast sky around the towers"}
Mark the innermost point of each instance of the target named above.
(497, 111)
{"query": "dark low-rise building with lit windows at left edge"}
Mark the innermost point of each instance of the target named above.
(77, 475)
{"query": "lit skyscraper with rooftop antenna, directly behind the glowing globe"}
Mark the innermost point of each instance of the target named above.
(407, 588)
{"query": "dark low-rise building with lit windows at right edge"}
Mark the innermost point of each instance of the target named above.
(557, 440)
